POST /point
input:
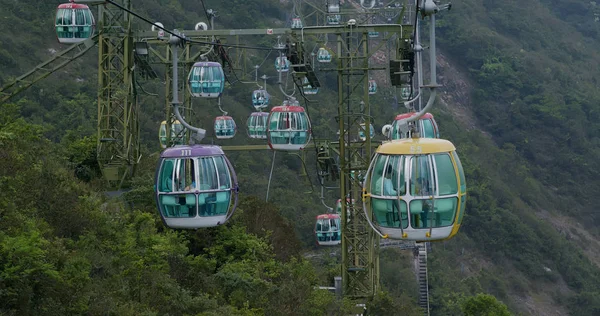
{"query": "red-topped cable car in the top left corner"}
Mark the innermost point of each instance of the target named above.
(74, 23)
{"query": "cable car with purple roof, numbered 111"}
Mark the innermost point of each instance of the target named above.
(195, 187)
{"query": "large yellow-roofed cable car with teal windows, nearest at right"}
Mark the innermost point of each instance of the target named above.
(415, 190)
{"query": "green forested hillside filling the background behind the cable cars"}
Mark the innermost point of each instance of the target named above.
(520, 103)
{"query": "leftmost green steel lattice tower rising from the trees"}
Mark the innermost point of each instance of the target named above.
(118, 130)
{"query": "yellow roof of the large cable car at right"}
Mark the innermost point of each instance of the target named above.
(410, 146)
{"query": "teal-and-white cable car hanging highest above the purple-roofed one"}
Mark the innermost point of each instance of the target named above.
(206, 79)
